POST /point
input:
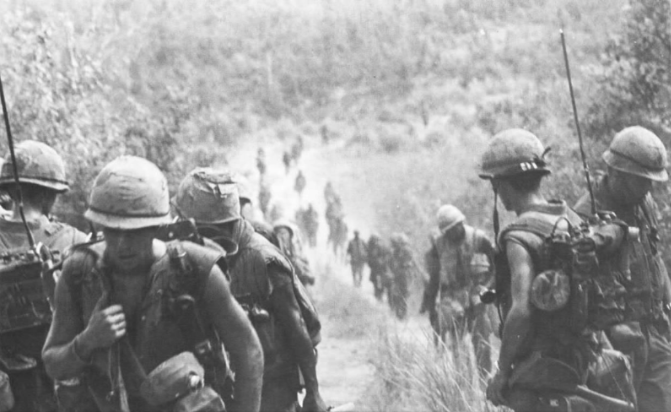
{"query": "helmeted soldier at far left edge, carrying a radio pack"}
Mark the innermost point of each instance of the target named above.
(41, 173)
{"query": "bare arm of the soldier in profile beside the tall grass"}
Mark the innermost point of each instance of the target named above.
(518, 322)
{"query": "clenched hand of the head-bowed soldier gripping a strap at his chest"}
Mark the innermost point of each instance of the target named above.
(106, 325)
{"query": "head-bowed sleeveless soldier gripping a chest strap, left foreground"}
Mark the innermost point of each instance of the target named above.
(131, 305)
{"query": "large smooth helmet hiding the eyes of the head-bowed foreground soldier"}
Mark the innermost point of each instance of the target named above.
(129, 193)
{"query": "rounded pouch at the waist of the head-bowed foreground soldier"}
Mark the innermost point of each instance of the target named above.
(177, 385)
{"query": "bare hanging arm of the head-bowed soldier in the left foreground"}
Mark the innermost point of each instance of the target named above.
(240, 340)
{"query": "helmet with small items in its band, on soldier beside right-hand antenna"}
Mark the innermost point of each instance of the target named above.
(513, 152)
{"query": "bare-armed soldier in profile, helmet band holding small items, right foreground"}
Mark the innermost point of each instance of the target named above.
(533, 341)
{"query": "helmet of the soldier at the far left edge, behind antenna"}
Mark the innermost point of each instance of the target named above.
(37, 164)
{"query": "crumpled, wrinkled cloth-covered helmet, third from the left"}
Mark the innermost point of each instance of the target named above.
(208, 196)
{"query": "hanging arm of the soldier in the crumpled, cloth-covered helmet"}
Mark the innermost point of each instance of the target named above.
(289, 316)
